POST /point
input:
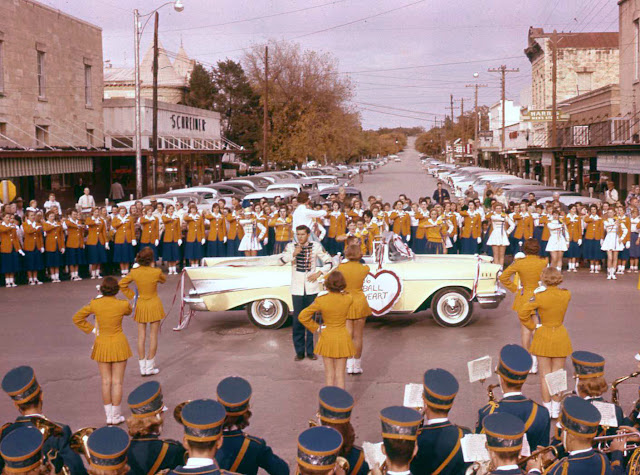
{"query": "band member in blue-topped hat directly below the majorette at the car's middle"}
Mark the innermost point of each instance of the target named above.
(334, 411)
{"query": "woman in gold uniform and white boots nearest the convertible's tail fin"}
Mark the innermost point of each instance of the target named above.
(149, 307)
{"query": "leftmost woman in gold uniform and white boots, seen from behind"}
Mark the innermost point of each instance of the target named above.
(110, 349)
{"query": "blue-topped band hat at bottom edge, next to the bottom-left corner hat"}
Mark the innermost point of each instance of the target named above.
(108, 448)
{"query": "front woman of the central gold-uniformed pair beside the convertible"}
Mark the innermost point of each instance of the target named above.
(334, 344)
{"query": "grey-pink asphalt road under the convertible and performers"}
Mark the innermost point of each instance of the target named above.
(37, 330)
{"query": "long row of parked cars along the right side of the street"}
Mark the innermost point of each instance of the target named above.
(460, 177)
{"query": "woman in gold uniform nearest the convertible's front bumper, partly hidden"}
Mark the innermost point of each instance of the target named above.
(529, 269)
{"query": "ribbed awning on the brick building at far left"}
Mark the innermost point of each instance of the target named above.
(15, 167)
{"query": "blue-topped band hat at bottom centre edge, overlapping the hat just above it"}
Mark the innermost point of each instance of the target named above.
(325, 440)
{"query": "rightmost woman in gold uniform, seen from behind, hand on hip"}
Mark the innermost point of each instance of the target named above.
(551, 343)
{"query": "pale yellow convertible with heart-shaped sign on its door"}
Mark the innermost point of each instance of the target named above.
(399, 282)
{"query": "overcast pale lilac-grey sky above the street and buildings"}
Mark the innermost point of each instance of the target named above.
(400, 60)
